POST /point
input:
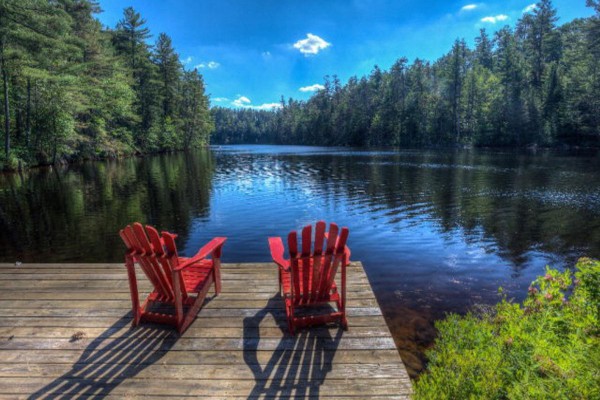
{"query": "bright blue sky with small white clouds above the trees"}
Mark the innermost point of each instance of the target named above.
(251, 52)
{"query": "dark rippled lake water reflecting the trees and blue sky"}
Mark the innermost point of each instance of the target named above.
(437, 231)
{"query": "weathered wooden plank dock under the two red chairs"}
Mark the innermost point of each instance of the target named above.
(65, 333)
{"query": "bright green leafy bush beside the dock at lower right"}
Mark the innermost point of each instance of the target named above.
(546, 348)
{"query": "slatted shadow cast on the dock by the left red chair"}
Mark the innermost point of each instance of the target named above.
(107, 361)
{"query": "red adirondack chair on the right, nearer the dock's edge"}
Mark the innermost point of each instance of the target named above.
(307, 279)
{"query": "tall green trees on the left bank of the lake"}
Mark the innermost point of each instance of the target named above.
(72, 89)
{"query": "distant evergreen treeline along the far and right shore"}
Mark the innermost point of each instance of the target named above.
(536, 84)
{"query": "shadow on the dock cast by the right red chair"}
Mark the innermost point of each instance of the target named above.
(298, 365)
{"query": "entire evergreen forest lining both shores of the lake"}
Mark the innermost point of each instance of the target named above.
(73, 89)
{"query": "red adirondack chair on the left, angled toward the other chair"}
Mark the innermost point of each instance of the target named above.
(179, 282)
